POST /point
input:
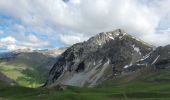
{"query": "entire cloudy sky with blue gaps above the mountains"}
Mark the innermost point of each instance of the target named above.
(40, 24)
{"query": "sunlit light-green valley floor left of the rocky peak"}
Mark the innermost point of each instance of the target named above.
(24, 75)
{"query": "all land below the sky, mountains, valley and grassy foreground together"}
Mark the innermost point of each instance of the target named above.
(109, 66)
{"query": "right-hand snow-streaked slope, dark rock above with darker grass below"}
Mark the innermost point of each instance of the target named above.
(154, 68)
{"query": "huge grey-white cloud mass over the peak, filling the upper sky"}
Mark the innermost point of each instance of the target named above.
(85, 18)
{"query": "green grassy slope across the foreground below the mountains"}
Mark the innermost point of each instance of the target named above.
(153, 86)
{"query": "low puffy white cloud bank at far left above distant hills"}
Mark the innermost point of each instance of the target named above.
(31, 42)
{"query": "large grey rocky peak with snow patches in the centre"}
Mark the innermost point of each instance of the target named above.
(97, 59)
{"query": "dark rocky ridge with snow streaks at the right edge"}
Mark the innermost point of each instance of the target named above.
(156, 59)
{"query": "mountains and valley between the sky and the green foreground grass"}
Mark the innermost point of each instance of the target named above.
(113, 55)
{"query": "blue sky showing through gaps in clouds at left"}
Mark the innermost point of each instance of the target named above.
(7, 24)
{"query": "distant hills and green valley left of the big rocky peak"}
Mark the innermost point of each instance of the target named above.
(28, 68)
